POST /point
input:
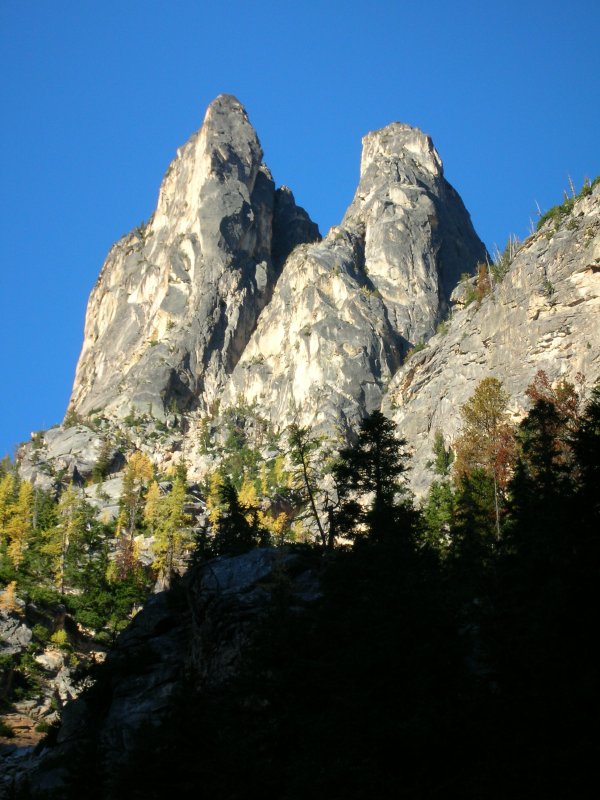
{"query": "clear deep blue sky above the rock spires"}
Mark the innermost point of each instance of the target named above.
(97, 96)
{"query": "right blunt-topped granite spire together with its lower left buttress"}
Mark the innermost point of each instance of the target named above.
(346, 310)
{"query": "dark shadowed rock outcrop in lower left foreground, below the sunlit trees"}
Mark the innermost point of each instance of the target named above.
(196, 634)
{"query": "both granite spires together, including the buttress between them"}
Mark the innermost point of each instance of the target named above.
(171, 322)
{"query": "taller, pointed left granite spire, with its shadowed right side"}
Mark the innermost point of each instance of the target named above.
(178, 299)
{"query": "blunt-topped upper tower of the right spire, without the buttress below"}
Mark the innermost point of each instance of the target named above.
(418, 235)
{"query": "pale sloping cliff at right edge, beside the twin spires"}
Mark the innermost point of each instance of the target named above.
(543, 315)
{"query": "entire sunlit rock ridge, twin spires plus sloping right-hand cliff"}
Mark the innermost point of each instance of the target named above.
(317, 330)
